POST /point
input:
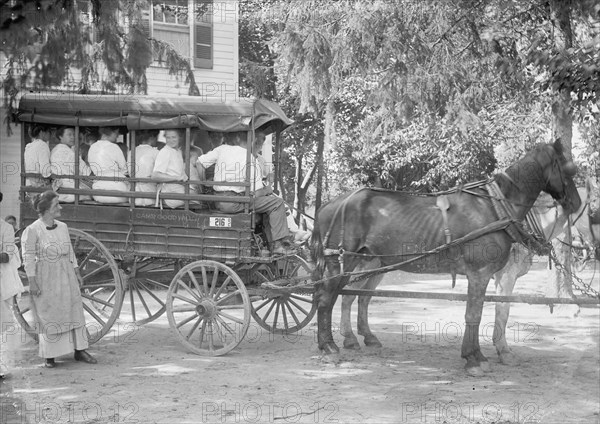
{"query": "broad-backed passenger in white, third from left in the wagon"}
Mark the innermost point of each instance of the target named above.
(106, 160)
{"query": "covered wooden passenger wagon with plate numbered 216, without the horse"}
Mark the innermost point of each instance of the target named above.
(203, 267)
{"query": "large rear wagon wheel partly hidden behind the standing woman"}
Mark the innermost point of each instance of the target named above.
(101, 286)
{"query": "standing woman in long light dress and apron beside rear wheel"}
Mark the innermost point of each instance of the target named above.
(53, 274)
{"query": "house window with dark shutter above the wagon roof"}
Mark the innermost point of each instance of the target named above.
(185, 24)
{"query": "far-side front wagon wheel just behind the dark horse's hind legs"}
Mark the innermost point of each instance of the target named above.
(278, 312)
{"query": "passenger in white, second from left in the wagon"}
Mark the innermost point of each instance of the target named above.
(62, 159)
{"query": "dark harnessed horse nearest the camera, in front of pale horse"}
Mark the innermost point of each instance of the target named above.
(414, 233)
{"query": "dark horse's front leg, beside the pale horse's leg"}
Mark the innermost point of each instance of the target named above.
(477, 363)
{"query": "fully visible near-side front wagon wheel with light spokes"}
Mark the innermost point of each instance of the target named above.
(208, 307)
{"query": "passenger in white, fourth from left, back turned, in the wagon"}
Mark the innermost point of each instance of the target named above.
(145, 156)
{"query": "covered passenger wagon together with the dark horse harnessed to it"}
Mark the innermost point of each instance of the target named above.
(208, 270)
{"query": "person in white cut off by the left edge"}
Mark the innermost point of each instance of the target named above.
(10, 285)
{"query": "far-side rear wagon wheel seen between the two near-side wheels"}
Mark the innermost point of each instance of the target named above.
(146, 282)
